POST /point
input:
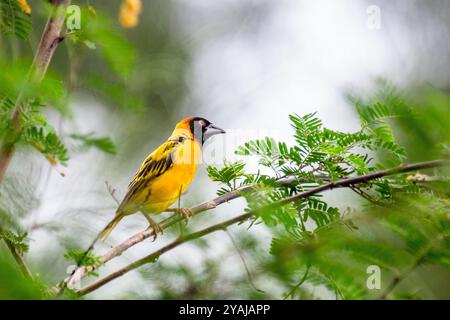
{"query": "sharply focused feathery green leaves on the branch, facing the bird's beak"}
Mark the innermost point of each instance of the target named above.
(320, 155)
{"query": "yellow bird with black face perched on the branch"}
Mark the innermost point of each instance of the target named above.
(166, 173)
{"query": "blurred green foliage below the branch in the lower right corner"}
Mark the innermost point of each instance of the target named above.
(397, 242)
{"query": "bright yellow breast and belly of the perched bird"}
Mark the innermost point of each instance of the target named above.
(167, 188)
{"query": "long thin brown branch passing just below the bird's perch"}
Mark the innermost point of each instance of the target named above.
(221, 226)
